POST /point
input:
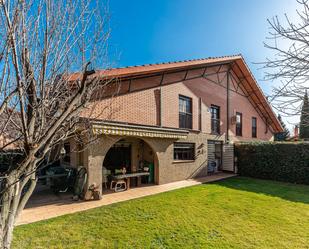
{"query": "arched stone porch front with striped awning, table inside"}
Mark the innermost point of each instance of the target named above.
(126, 156)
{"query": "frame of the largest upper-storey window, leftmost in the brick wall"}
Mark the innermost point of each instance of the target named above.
(185, 118)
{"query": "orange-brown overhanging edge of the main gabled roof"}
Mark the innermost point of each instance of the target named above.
(237, 63)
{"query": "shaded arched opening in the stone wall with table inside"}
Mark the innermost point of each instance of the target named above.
(132, 158)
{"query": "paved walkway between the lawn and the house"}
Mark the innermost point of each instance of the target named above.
(63, 207)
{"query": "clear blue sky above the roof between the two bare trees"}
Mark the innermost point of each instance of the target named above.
(153, 31)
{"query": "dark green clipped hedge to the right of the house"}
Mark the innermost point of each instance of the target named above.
(287, 162)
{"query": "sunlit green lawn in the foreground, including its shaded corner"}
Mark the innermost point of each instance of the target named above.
(235, 213)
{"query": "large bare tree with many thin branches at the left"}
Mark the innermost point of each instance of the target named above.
(42, 42)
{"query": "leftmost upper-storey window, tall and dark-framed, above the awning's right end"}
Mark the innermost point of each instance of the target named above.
(185, 112)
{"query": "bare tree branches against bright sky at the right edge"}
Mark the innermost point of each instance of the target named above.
(289, 40)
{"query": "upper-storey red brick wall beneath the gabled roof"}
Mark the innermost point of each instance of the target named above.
(142, 107)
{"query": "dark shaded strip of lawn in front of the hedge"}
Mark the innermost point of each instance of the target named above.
(287, 191)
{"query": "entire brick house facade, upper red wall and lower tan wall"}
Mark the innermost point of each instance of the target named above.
(154, 101)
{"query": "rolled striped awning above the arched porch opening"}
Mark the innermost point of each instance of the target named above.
(119, 129)
